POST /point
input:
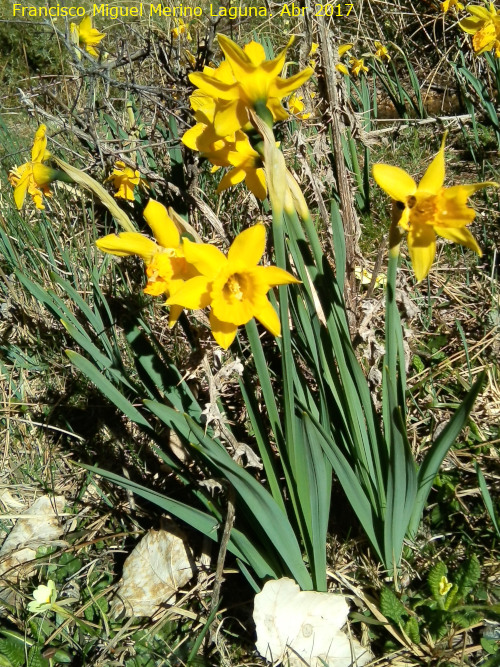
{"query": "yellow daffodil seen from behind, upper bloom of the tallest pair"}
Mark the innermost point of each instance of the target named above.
(253, 81)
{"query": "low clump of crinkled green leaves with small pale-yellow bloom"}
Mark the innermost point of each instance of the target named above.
(449, 605)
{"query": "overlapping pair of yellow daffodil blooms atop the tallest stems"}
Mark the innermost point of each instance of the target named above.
(244, 81)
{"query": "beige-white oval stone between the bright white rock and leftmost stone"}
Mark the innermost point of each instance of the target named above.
(156, 569)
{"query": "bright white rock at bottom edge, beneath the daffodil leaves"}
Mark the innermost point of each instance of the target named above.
(304, 627)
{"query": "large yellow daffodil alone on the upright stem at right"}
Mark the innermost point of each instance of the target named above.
(429, 209)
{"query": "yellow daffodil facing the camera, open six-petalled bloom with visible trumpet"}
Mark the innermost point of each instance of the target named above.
(234, 286)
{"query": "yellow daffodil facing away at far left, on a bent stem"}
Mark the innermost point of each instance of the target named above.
(34, 177)
